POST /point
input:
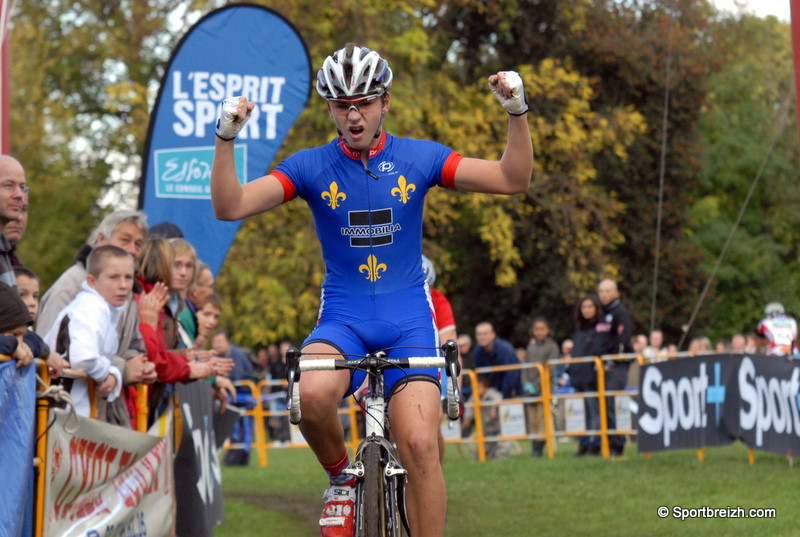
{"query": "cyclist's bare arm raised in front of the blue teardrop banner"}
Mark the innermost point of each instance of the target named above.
(230, 199)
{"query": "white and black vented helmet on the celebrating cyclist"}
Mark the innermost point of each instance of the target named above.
(353, 72)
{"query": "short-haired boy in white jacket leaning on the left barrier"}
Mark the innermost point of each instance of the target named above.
(85, 331)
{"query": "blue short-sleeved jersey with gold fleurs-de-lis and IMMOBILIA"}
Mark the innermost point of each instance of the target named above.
(369, 220)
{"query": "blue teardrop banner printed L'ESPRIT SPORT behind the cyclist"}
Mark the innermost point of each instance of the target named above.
(240, 49)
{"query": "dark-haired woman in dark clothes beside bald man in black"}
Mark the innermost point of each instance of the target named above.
(592, 337)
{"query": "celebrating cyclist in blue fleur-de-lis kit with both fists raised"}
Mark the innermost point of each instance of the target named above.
(366, 190)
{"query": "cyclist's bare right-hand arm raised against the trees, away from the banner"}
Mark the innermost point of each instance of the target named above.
(512, 173)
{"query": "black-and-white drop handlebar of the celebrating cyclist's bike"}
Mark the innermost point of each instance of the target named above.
(374, 363)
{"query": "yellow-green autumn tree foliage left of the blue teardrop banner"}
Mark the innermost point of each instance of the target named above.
(83, 74)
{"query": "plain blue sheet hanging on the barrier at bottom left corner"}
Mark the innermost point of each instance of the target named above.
(17, 407)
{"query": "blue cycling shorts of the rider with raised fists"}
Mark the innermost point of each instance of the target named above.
(359, 324)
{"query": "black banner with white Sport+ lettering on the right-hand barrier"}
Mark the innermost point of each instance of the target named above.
(712, 400)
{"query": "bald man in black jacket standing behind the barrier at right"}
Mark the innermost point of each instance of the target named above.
(616, 371)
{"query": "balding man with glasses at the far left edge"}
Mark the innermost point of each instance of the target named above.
(13, 200)
